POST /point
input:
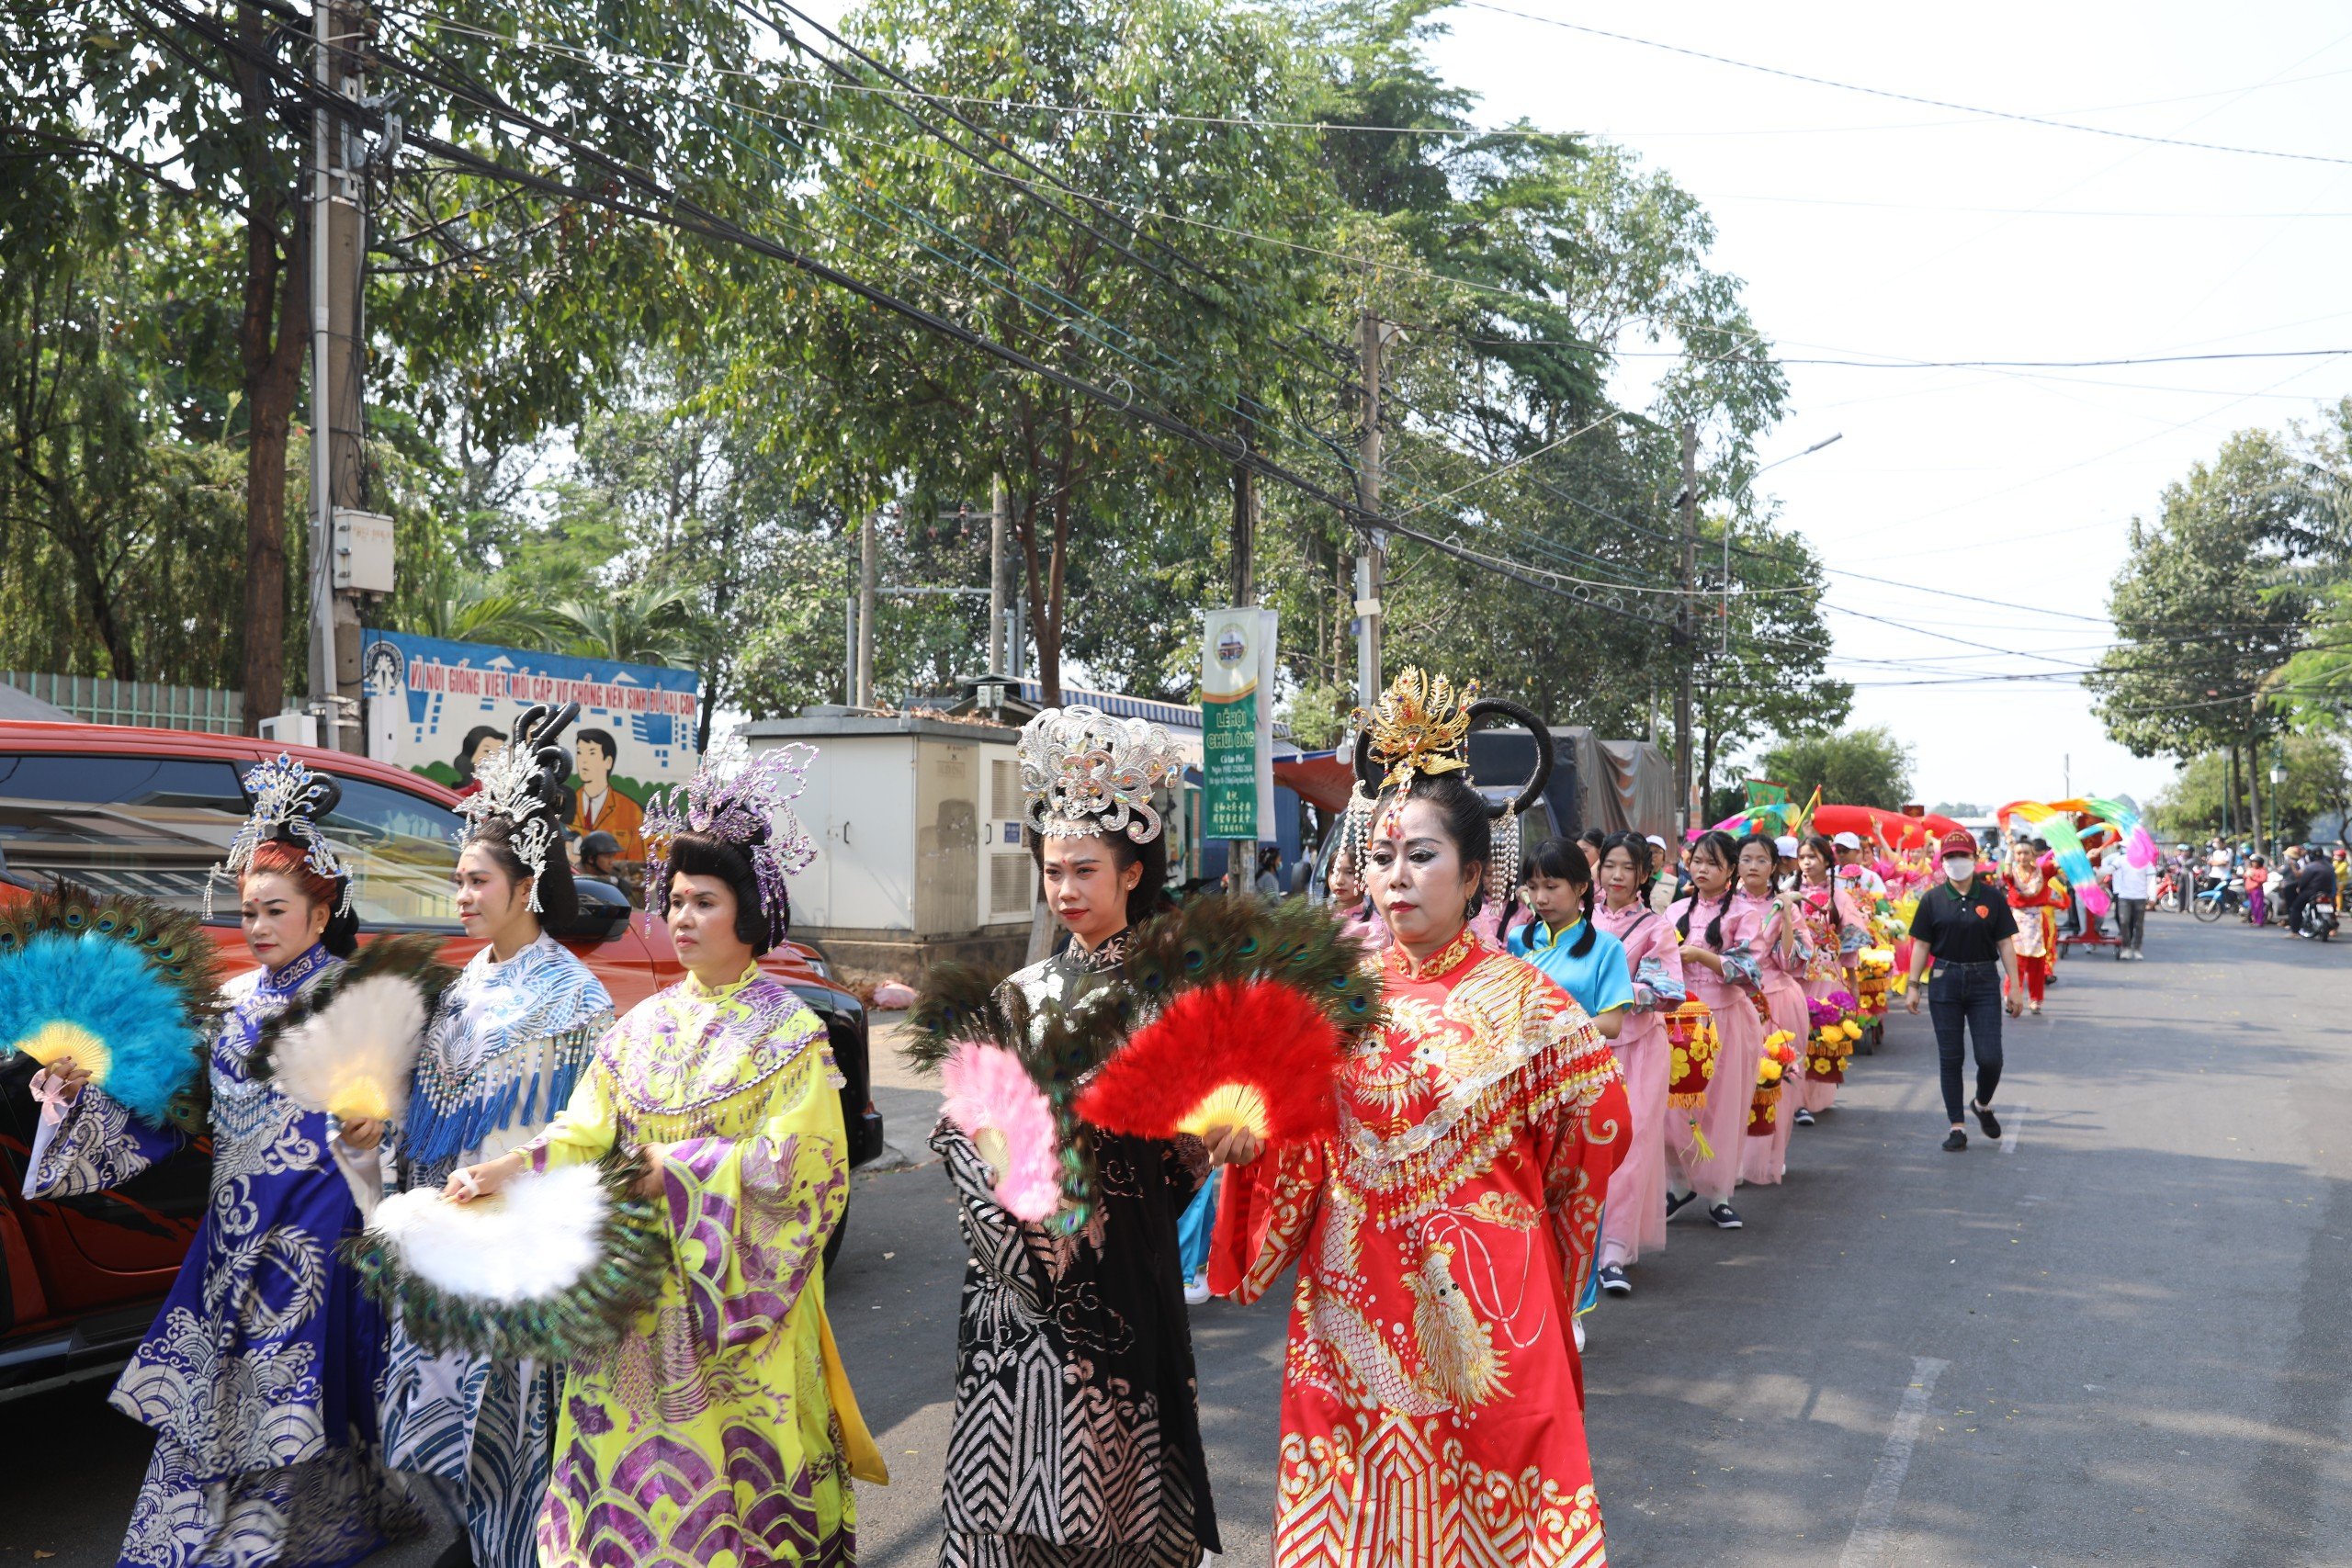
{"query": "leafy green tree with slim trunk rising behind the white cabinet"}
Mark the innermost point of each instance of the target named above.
(1081, 283)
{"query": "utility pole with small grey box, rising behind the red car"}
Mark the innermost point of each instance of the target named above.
(340, 532)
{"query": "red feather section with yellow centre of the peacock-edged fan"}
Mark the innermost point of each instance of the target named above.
(1243, 1054)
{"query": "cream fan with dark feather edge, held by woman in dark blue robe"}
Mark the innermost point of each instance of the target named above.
(352, 1045)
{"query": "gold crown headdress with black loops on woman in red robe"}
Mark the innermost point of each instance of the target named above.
(1422, 728)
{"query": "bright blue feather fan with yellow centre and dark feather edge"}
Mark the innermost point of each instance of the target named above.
(123, 986)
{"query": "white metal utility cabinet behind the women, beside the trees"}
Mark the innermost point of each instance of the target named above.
(918, 840)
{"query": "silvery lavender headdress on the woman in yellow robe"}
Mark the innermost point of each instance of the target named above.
(740, 800)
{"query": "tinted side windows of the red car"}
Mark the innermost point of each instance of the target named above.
(156, 826)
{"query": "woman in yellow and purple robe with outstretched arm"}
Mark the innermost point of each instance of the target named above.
(721, 1433)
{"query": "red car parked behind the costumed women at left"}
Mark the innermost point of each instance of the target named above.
(149, 812)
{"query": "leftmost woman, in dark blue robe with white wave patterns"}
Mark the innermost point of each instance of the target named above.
(260, 1376)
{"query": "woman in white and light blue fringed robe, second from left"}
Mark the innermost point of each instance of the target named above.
(502, 1057)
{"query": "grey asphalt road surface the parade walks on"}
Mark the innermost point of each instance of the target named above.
(2118, 1336)
